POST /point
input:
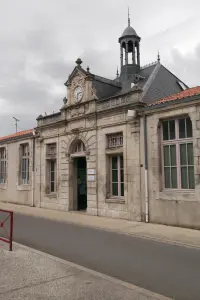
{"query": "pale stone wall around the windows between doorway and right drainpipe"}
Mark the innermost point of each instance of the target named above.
(127, 207)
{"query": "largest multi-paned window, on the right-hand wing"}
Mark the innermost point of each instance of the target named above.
(177, 150)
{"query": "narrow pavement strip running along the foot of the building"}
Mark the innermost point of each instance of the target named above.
(175, 235)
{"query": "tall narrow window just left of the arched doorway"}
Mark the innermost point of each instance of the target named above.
(51, 168)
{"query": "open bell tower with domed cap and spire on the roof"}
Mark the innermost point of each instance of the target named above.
(129, 52)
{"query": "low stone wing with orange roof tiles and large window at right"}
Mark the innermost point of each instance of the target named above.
(173, 158)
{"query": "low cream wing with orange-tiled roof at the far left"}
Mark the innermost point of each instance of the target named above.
(16, 168)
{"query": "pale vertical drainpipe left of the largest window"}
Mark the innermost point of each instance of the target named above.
(146, 172)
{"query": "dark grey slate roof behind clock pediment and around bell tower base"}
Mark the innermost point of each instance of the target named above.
(156, 82)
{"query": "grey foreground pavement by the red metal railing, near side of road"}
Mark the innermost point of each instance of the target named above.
(28, 274)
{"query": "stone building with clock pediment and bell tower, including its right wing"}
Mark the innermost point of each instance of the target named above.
(115, 149)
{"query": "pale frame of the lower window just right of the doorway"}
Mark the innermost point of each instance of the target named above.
(118, 176)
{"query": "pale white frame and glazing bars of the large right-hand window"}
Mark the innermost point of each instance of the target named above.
(177, 142)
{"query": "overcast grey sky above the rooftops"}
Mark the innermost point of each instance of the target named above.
(41, 39)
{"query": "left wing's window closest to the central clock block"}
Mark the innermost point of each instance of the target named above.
(24, 168)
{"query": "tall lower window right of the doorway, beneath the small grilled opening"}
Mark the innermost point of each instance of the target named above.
(117, 176)
